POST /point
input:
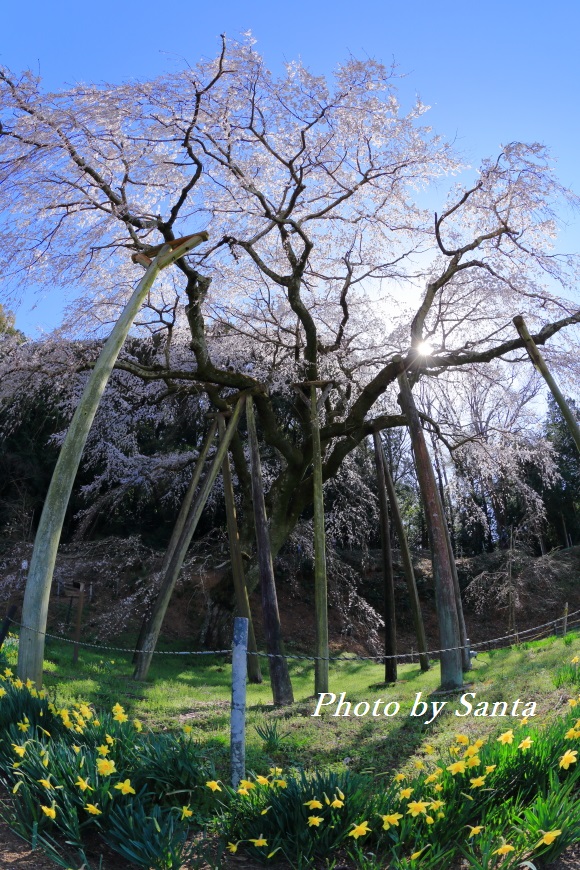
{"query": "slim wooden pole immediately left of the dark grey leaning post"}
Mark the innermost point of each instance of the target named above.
(242, 599)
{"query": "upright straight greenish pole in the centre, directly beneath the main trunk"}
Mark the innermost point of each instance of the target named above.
(320, 579)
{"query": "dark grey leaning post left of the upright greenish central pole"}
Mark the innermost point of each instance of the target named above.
(279, 676)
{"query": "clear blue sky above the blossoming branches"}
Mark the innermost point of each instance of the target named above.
(493, 72)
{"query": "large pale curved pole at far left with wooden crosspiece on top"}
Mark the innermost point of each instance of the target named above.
(37, 592)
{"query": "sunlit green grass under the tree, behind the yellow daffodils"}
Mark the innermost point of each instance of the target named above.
(196, 690)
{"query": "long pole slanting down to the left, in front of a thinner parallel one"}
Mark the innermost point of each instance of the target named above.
(175, 562)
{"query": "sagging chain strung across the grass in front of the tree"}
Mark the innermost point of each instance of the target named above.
(519, 636)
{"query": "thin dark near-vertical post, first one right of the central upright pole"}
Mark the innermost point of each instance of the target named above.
(388, 579)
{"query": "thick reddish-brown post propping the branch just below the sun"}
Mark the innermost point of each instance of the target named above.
(451, 670)
